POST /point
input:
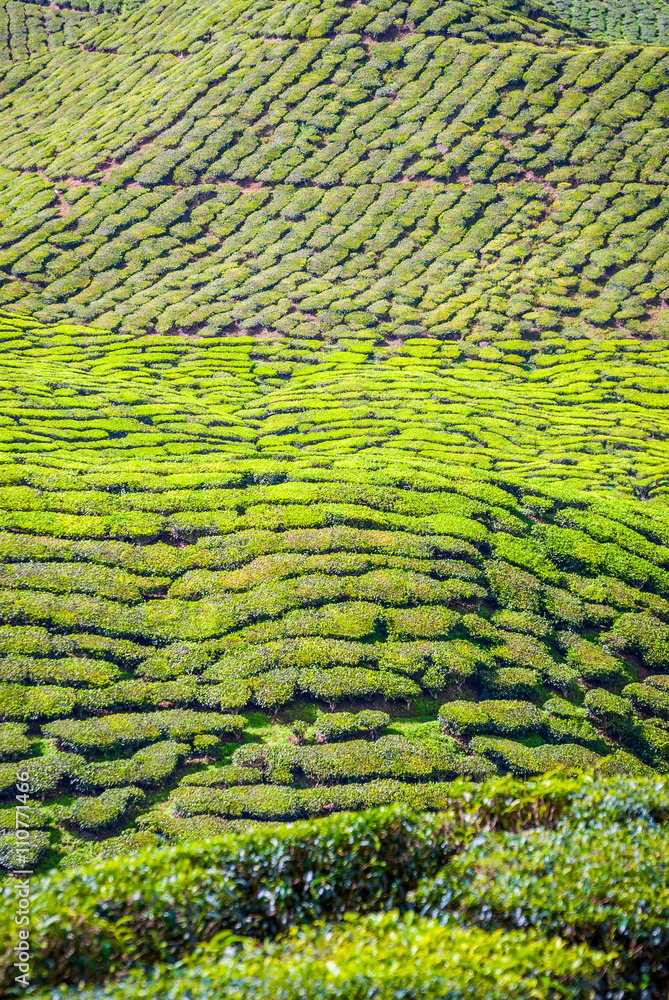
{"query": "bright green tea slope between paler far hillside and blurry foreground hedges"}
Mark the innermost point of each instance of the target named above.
(360, 542)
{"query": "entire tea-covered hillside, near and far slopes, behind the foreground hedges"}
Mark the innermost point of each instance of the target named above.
(334, 377)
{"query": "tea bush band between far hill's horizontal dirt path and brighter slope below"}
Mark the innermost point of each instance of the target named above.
(525, 248)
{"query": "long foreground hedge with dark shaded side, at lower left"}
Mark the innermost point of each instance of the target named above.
(360, 862)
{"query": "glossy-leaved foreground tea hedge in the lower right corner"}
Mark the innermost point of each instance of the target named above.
(596, 881)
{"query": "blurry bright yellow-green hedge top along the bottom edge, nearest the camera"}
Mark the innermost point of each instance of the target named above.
(382, 955)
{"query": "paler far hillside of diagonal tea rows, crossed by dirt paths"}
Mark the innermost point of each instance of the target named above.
(453, 177)
